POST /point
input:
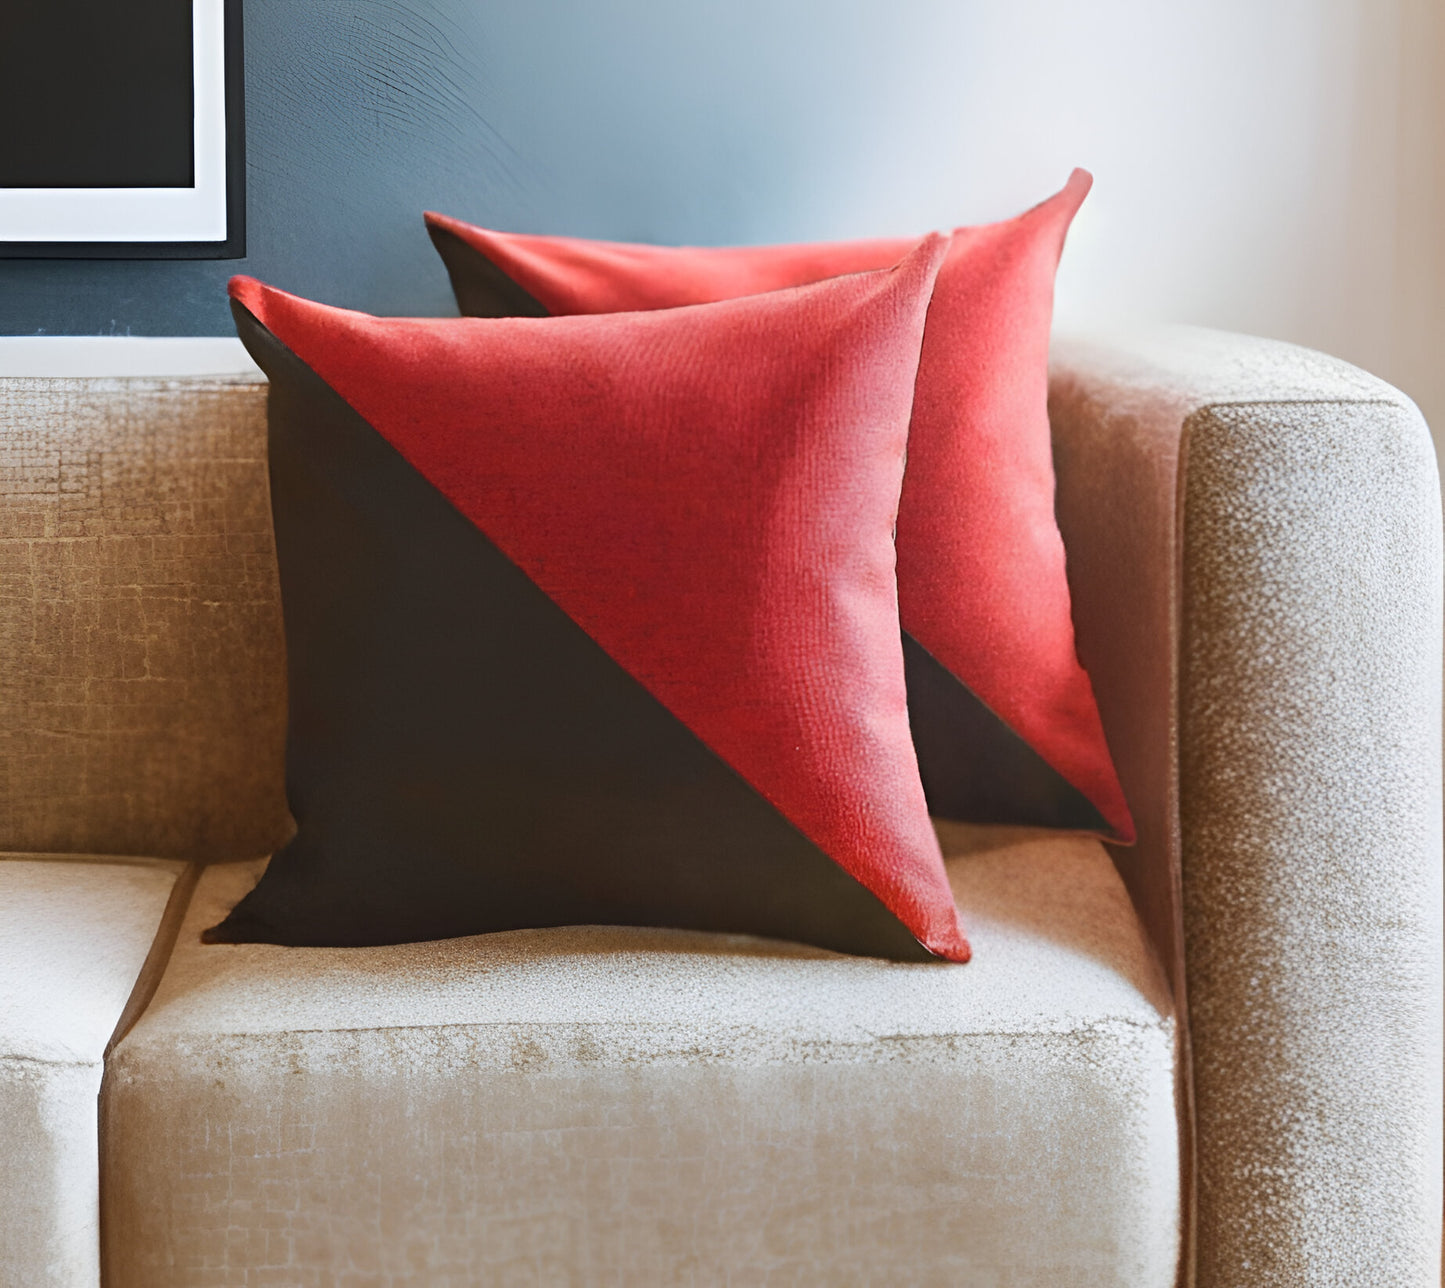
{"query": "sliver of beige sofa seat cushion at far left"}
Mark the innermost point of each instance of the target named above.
(74, 935)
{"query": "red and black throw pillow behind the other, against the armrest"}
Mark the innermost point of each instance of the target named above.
(1004, 715)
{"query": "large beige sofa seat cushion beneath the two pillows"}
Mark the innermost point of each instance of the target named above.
(632, 1107)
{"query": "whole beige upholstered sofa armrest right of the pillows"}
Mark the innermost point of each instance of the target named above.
(1254, 537)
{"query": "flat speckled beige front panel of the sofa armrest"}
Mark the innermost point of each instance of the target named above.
(1311, 679)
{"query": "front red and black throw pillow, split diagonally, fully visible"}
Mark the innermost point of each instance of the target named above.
(595, 621)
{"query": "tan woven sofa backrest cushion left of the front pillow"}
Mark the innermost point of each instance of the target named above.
(142, 696)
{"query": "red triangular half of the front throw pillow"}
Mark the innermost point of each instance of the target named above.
(712, 495)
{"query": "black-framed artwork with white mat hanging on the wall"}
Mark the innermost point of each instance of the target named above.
(124, 128)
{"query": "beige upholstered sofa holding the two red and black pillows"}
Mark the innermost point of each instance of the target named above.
(1215, 1057)
